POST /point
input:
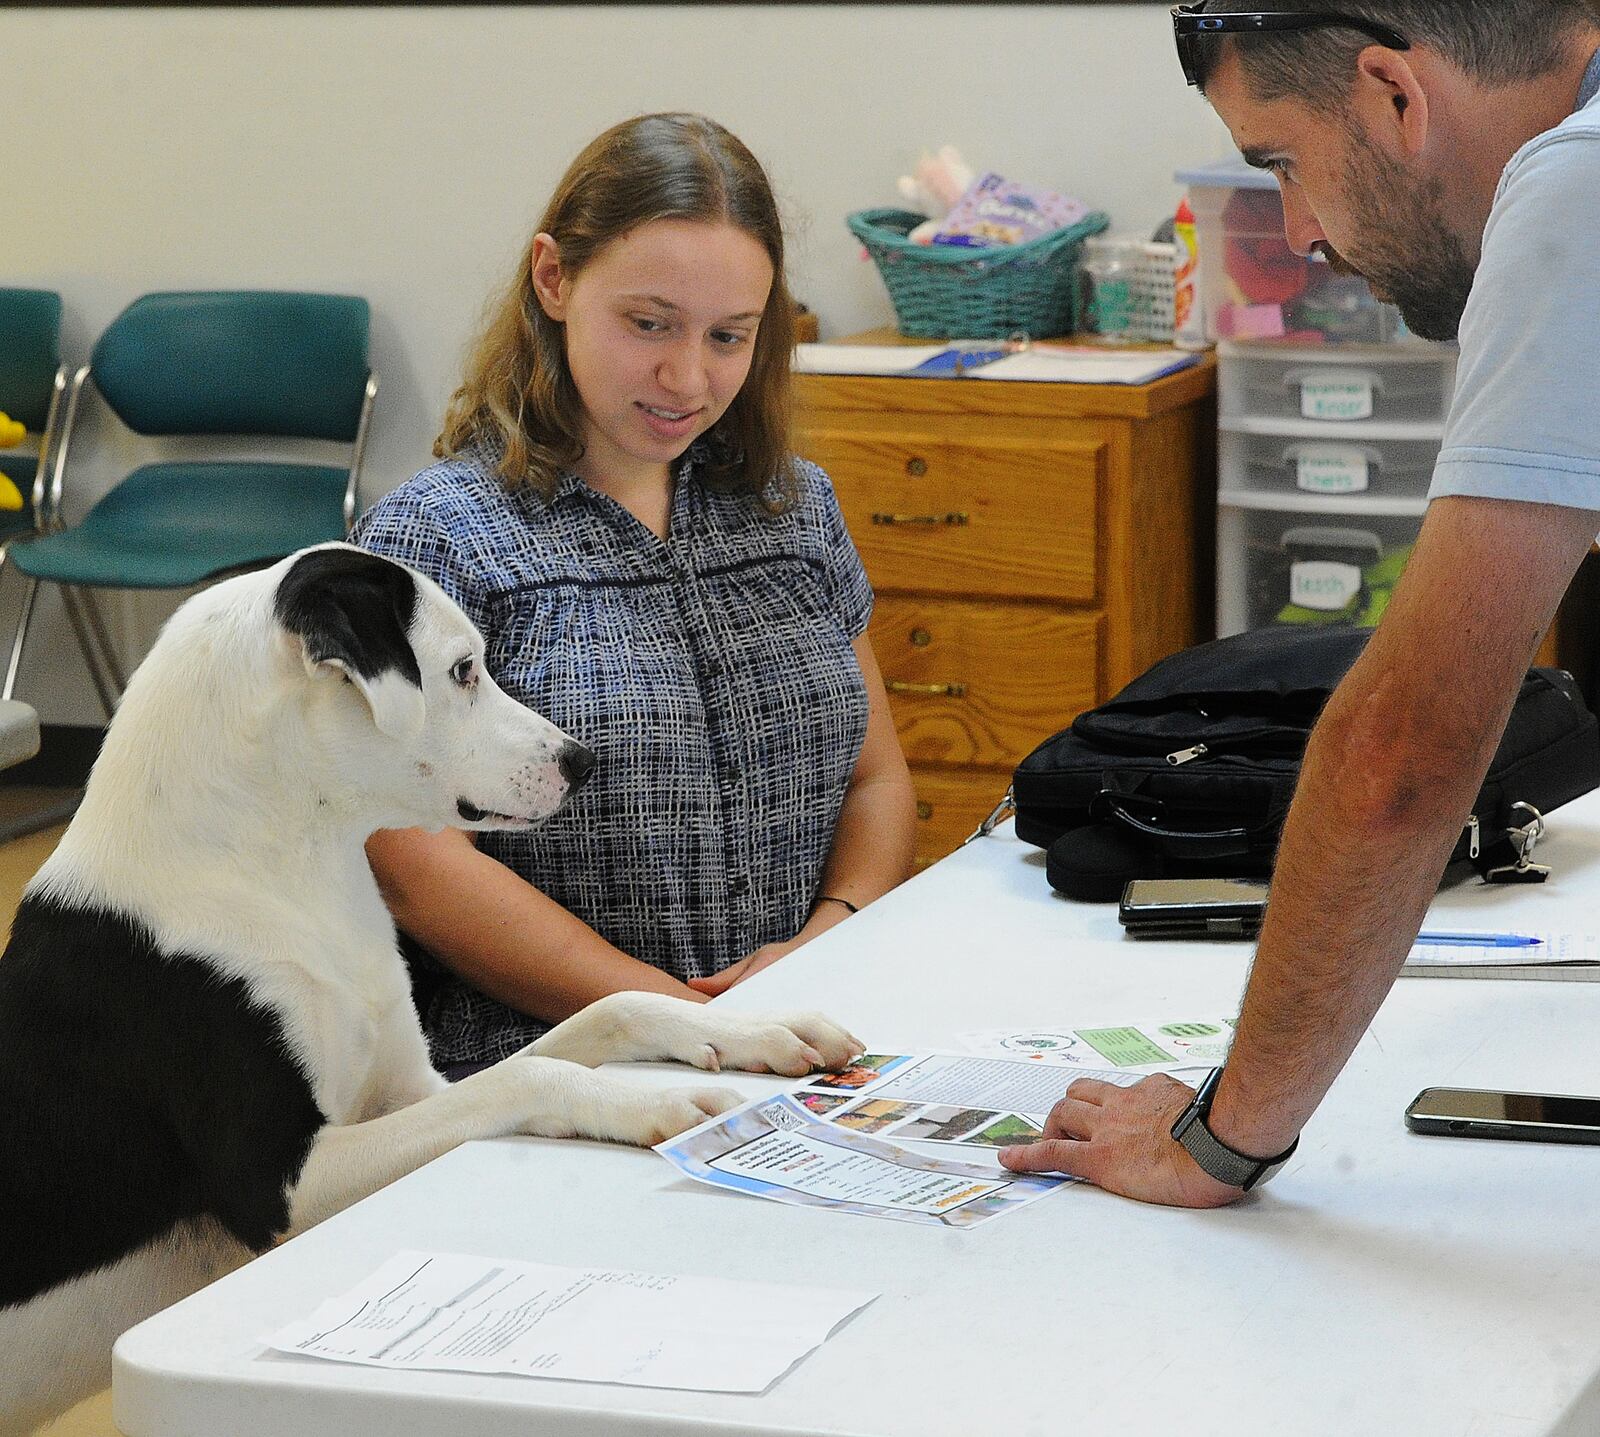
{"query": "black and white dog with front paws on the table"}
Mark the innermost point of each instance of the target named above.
(207, 1038)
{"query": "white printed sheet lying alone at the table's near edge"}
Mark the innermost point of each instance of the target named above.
(447, 1311)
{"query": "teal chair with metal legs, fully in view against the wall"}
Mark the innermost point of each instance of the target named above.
(239, 364)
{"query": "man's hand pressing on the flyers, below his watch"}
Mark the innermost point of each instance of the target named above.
(1122, 1140)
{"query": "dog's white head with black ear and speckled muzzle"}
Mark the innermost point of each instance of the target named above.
(398, 686)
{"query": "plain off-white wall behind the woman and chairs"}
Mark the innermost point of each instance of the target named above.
(404, 153)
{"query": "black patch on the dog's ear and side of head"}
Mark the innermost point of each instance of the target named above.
(351, 607)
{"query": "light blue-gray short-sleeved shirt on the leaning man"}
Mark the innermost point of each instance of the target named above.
(1526, 422)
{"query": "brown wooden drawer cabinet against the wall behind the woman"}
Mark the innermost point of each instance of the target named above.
(1033, 548)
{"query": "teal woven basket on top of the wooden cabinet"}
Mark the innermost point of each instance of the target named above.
(951, 292)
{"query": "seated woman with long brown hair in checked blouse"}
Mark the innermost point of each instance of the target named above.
(620, 513)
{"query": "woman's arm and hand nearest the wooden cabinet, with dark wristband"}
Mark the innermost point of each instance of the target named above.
(873, 844)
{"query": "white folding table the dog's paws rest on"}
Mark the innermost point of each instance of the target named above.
(1385, 1284)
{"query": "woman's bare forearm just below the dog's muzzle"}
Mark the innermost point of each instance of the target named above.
(502, 934)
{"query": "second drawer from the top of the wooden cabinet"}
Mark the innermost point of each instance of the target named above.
(974, 682)
